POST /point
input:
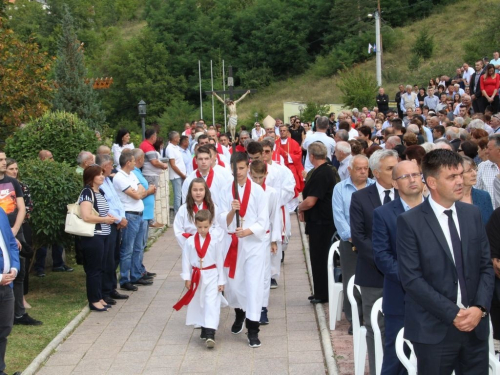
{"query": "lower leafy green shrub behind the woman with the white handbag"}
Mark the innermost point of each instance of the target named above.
(53, 185)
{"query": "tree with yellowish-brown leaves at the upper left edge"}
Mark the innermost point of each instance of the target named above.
(25, 89)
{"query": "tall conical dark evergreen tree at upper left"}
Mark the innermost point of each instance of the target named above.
(73, 94)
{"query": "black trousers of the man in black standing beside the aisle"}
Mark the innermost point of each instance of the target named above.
(320, 240)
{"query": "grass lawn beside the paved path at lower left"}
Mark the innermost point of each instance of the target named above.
(56, 300)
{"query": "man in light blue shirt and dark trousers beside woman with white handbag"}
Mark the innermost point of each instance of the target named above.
(109, 280)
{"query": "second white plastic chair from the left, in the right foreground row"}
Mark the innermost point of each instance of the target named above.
(359, 331)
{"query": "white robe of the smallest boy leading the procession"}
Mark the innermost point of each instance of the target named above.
(204, 308)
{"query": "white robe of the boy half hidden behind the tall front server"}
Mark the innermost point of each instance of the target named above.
(274, 235)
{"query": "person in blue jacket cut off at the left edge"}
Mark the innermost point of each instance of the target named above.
(9, 267)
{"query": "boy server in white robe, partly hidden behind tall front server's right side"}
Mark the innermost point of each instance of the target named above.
(258, 173)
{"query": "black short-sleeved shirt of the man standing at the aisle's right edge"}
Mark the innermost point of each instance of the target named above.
(320, 185)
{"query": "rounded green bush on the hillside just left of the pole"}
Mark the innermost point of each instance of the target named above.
(358, 88)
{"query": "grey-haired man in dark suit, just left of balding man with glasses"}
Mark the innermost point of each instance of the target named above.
(363, 202)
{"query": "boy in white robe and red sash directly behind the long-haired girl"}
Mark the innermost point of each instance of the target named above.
(215, 181)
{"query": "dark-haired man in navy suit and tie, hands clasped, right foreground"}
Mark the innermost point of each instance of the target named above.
(445, 269)
